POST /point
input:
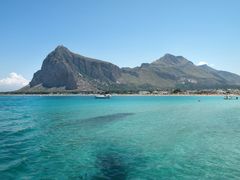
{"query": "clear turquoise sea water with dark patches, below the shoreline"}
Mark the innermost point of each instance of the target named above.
(121, 138)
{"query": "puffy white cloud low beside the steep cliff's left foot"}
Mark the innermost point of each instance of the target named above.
(12, 82)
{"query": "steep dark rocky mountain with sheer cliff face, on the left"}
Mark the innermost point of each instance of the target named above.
(62, 68)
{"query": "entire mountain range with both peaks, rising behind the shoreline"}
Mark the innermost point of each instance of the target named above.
(65, 71)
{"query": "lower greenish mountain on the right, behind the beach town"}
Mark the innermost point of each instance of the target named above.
(177, 72)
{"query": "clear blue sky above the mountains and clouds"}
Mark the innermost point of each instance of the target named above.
(124, 32)
